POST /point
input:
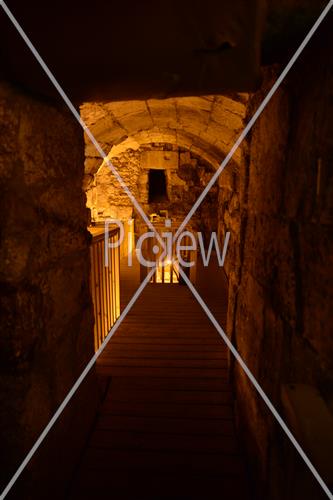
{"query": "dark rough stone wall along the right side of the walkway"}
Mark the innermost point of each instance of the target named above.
(279, 209)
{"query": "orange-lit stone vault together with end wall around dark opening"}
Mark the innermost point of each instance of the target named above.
(197, 130)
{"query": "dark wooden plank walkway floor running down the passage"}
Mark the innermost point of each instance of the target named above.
(165, 429)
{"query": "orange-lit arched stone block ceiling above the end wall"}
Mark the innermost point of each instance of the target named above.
(207, 126)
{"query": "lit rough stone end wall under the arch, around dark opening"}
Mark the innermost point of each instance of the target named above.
(186, 176)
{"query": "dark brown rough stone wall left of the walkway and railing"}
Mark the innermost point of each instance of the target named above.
(46, 320)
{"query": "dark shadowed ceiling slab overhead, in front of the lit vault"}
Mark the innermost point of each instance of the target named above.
(188, 48)
